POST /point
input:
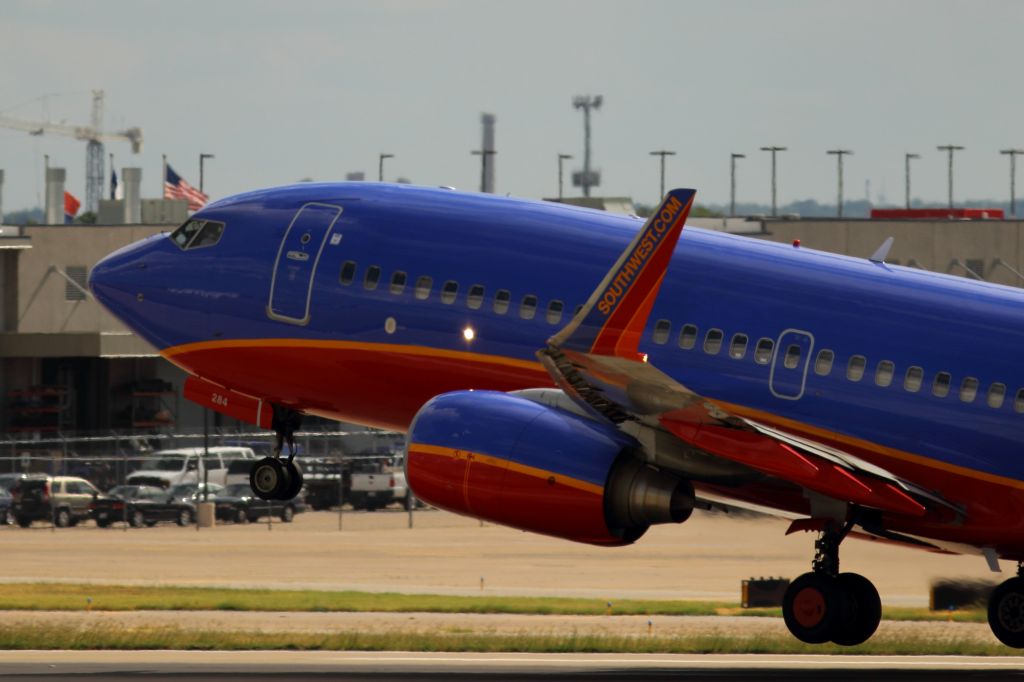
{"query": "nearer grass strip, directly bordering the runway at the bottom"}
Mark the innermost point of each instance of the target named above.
(114, 637)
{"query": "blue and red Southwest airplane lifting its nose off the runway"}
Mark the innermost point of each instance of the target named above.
(587, 375)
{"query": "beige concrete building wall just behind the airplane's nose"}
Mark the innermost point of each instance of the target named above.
(42, 308)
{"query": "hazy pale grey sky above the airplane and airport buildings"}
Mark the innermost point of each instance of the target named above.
(280, 92)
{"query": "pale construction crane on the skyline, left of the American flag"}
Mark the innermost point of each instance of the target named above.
(94, 136)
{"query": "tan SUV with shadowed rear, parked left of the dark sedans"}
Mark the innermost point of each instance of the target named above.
(65, 500)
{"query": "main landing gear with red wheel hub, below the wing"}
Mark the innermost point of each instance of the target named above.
(826, 606)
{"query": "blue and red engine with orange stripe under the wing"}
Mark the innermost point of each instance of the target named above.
(509, 460)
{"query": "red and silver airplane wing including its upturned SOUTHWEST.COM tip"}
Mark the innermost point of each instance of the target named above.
(596, 361)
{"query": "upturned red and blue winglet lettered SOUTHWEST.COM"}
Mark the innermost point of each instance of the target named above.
(614, 318)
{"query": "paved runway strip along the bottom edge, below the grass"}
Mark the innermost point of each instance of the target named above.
(499, 667)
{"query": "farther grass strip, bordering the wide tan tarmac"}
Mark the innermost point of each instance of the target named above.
(68, 598)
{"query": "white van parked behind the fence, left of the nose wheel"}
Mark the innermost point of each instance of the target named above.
(187, 465)
